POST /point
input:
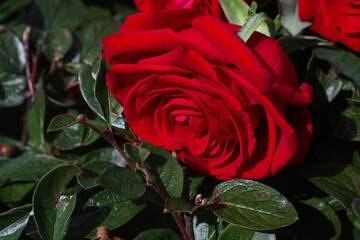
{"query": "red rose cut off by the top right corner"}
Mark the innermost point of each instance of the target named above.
(336, 20)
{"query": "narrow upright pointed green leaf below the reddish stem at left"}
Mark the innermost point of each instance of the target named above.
(35, 121)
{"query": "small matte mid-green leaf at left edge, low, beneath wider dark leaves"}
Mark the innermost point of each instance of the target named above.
(14, 193)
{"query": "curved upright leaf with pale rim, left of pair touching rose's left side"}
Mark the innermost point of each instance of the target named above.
(87, 86)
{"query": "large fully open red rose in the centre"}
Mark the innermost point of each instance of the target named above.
(189, 83)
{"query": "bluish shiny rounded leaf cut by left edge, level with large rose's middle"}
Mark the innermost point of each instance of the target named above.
(11, 87)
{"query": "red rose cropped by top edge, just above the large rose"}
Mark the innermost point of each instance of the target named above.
(211, 7)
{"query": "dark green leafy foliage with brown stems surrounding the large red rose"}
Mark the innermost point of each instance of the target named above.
(70, 164)
